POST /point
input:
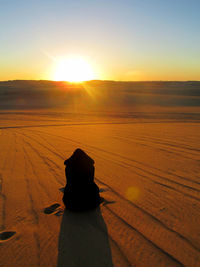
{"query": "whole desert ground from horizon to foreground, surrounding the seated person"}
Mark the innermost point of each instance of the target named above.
(144, 139)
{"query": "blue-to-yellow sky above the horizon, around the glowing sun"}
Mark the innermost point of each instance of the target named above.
(127, 40)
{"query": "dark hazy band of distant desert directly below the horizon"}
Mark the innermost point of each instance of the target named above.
(23, 94)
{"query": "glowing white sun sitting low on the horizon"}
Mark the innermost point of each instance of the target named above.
(73, 69)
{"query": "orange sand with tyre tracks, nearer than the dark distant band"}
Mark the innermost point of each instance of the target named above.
(148, 173)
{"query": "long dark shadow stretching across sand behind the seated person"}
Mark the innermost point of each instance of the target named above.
(83, 240)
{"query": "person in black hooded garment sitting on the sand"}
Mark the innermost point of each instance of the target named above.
(81, 193)
